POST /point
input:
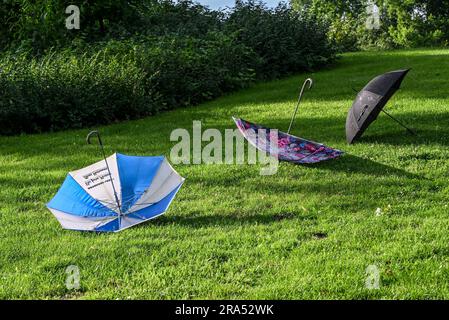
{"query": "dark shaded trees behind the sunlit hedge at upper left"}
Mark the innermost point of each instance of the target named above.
(39, 25)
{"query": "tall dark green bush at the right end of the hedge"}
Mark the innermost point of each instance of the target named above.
(287, 41)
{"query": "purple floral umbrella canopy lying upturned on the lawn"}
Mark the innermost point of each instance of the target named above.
(288, 147)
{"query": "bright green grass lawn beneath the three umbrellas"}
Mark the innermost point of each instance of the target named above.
(307, 232)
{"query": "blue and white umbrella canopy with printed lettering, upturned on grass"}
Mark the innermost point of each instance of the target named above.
(115, 193)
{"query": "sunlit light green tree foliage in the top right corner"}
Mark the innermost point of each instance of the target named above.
(403, 23)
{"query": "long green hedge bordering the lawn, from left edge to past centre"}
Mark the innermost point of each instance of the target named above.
(95, 81)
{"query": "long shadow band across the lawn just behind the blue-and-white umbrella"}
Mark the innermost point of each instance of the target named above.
(431, 128)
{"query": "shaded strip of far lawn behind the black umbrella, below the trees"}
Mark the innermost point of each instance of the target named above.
(353, 73)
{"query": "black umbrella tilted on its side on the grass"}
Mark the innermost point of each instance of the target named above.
(370, 102)
